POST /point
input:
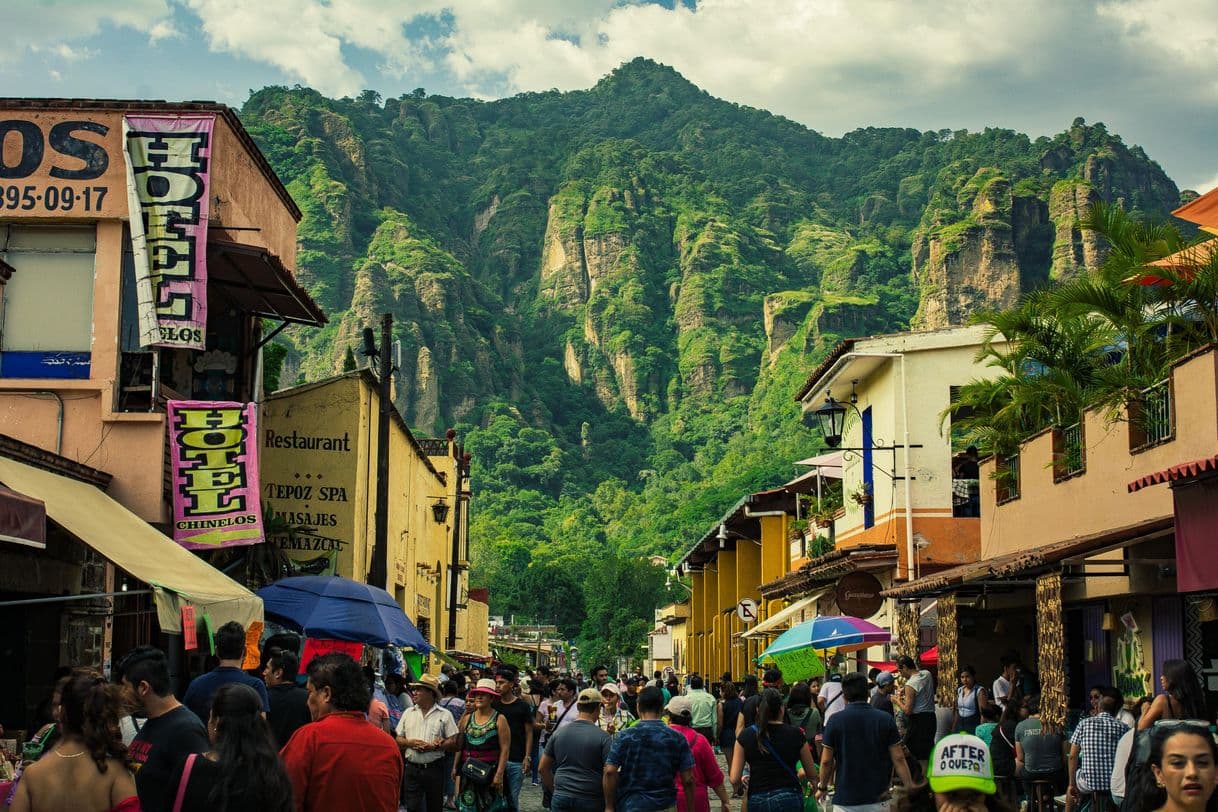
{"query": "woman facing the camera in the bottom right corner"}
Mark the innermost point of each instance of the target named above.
(1183, 771)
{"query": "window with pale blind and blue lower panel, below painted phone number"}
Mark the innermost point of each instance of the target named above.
(47, 318)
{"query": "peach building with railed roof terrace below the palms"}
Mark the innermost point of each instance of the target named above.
(1096, 547)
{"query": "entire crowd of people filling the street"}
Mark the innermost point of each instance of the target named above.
(470, 741)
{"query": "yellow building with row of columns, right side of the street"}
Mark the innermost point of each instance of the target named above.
(745, 550)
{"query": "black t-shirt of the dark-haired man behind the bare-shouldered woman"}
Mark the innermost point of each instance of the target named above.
(158, 753)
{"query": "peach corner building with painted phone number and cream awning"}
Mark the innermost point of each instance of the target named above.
(85, 384)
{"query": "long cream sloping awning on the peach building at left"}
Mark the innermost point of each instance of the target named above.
(177, 576)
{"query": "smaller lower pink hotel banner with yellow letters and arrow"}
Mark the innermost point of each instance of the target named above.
(215, 474)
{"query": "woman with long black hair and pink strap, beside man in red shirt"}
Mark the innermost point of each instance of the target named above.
(243, 772)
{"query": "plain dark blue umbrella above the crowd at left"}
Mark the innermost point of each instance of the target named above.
(340, 609)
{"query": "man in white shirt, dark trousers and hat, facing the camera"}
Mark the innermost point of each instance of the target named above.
(424, 733)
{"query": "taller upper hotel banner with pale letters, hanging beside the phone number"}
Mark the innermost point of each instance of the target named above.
(167, 189)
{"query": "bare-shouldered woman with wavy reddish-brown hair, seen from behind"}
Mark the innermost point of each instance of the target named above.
(86, 771)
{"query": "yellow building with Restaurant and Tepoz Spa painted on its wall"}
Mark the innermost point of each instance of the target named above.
(320, 484)
